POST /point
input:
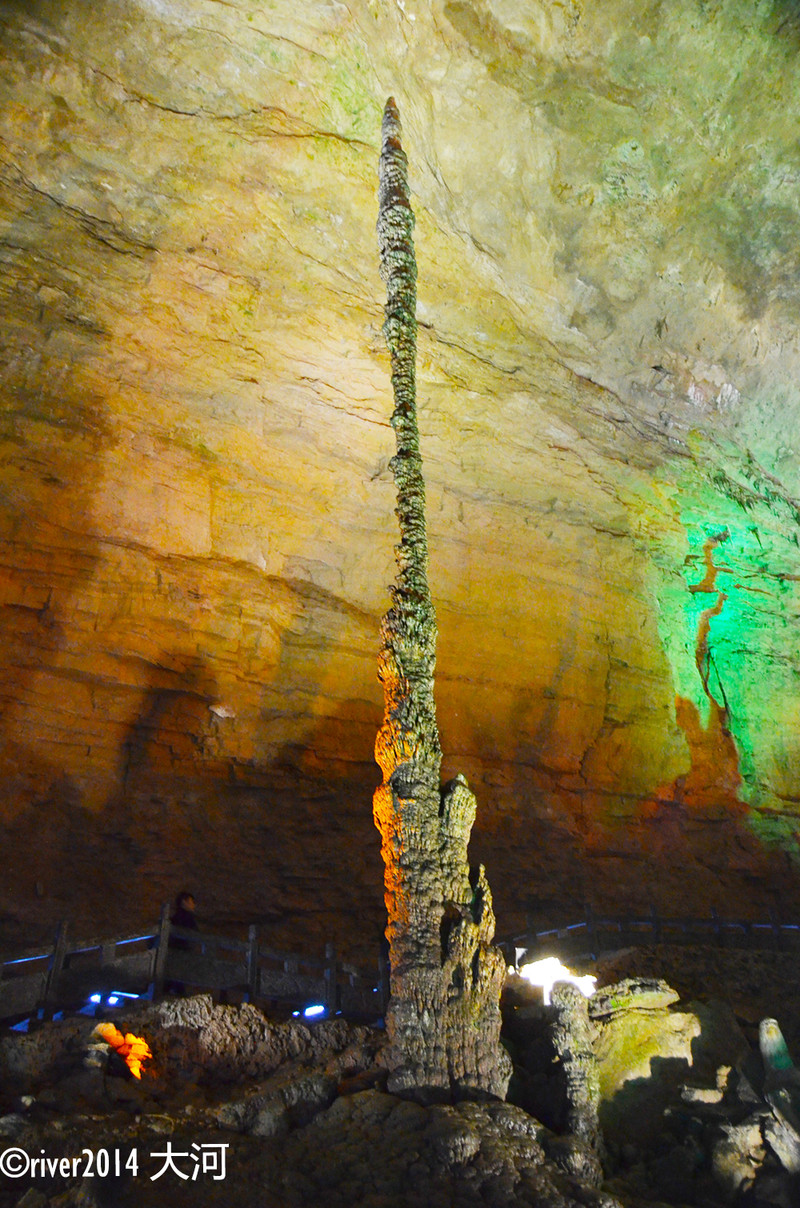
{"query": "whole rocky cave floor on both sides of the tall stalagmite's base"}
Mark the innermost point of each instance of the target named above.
(305, 1117)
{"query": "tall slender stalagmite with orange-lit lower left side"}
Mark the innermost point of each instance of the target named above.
(444, 1019)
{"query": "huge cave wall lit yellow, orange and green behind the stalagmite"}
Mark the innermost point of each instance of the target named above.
(198, 520)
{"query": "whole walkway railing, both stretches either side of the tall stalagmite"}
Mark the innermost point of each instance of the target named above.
(149, 966)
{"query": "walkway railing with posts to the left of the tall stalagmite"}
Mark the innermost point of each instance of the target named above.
(171, 959)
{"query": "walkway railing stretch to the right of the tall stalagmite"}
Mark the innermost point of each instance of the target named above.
(598, 933)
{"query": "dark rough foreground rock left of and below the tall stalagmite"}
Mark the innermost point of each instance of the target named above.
(281, 1099)
